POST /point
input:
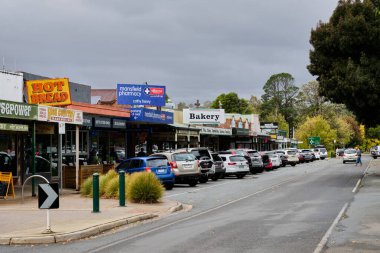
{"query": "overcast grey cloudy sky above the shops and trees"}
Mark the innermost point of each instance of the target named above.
(198, 49)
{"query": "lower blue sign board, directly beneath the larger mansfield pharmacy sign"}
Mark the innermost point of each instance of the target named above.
(152, 116)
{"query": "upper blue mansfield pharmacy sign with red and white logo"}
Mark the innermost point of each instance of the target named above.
(136, 94)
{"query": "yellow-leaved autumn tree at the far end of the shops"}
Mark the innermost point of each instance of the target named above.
(316, 126)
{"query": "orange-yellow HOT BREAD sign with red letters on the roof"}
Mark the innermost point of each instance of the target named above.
(49, 92)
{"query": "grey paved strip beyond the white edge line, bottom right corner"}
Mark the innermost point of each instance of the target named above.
(358, 230)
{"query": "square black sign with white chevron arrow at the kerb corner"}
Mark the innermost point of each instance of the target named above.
(48, 196)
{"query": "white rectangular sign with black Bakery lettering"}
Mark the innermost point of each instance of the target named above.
(203, 116)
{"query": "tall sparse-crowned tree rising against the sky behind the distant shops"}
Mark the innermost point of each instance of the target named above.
(280, 96)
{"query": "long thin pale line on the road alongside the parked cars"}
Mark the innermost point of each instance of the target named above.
(190, 217)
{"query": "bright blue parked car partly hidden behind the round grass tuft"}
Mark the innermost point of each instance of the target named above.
(157, 164)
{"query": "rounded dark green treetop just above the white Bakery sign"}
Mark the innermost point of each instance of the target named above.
(231, 103)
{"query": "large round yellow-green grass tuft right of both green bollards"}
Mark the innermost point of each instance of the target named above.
(144, 187)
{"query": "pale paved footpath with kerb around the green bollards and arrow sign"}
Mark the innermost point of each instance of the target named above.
(22, 222)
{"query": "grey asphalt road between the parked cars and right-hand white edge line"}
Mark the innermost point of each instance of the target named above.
(286, 210)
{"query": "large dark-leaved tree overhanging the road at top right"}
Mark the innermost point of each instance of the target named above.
(346, 59)
